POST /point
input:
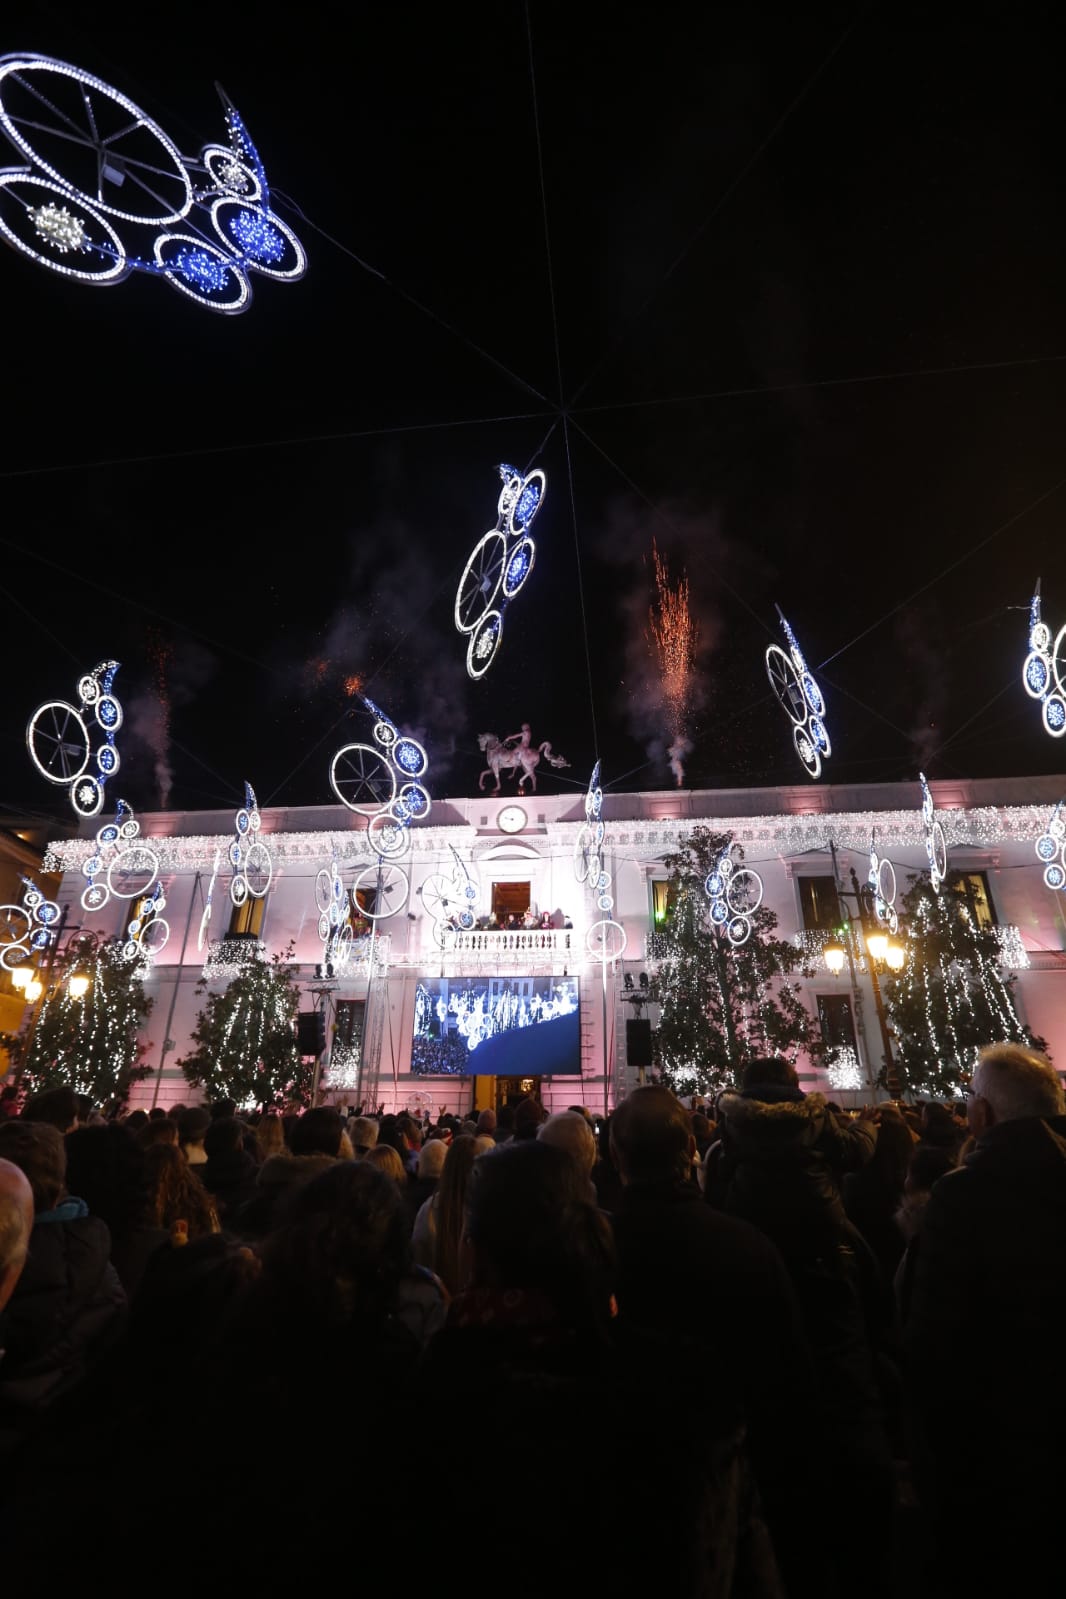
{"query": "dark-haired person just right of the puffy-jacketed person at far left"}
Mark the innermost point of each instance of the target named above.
(108, 1168)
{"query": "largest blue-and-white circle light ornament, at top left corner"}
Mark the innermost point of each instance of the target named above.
(101, 191)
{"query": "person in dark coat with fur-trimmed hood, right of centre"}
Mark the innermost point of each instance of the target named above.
(781, 1166)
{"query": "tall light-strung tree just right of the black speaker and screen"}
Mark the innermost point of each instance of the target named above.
(722, 1005)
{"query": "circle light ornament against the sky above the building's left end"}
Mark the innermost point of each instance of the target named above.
(62, 746)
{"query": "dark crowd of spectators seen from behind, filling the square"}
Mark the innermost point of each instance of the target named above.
(762, 1347)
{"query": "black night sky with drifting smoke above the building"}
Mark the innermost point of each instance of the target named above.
(800, 321)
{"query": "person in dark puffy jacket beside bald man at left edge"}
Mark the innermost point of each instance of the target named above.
(68, 1306)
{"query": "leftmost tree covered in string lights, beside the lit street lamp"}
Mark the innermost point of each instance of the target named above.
(92, 1045)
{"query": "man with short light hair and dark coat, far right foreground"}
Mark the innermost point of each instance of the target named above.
(987, 1315)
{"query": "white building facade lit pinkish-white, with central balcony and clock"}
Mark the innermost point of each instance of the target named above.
(511, 853)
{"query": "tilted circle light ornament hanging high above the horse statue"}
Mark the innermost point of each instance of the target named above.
(499, 567)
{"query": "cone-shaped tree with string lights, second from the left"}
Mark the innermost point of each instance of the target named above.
(245, 1039)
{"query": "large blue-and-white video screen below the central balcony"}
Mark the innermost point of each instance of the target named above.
(512, 1027)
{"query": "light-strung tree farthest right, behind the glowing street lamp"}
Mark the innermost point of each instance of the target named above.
(953, 995)
